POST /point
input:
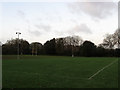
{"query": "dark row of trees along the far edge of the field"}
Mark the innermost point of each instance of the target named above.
(68, 46)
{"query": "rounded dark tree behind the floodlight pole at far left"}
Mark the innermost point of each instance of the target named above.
(11, 46)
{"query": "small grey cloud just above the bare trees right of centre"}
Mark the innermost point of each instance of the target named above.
(80, 28)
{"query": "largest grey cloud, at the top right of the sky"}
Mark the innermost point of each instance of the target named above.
(94, 9)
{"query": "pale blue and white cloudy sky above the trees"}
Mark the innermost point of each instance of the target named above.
(42, 21)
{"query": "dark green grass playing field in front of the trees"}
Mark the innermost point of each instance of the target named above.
(59, 72)
